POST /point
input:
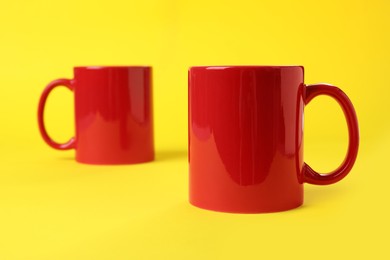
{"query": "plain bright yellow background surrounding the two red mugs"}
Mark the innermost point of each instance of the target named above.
(54, 208)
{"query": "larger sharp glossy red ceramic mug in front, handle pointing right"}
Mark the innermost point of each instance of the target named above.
(246, 137)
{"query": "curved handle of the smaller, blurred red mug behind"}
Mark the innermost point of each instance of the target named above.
(41, 107)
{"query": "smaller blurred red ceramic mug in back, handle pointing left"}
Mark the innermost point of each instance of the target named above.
(113, 114)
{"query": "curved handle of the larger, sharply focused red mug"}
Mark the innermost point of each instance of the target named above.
(313, 177)
